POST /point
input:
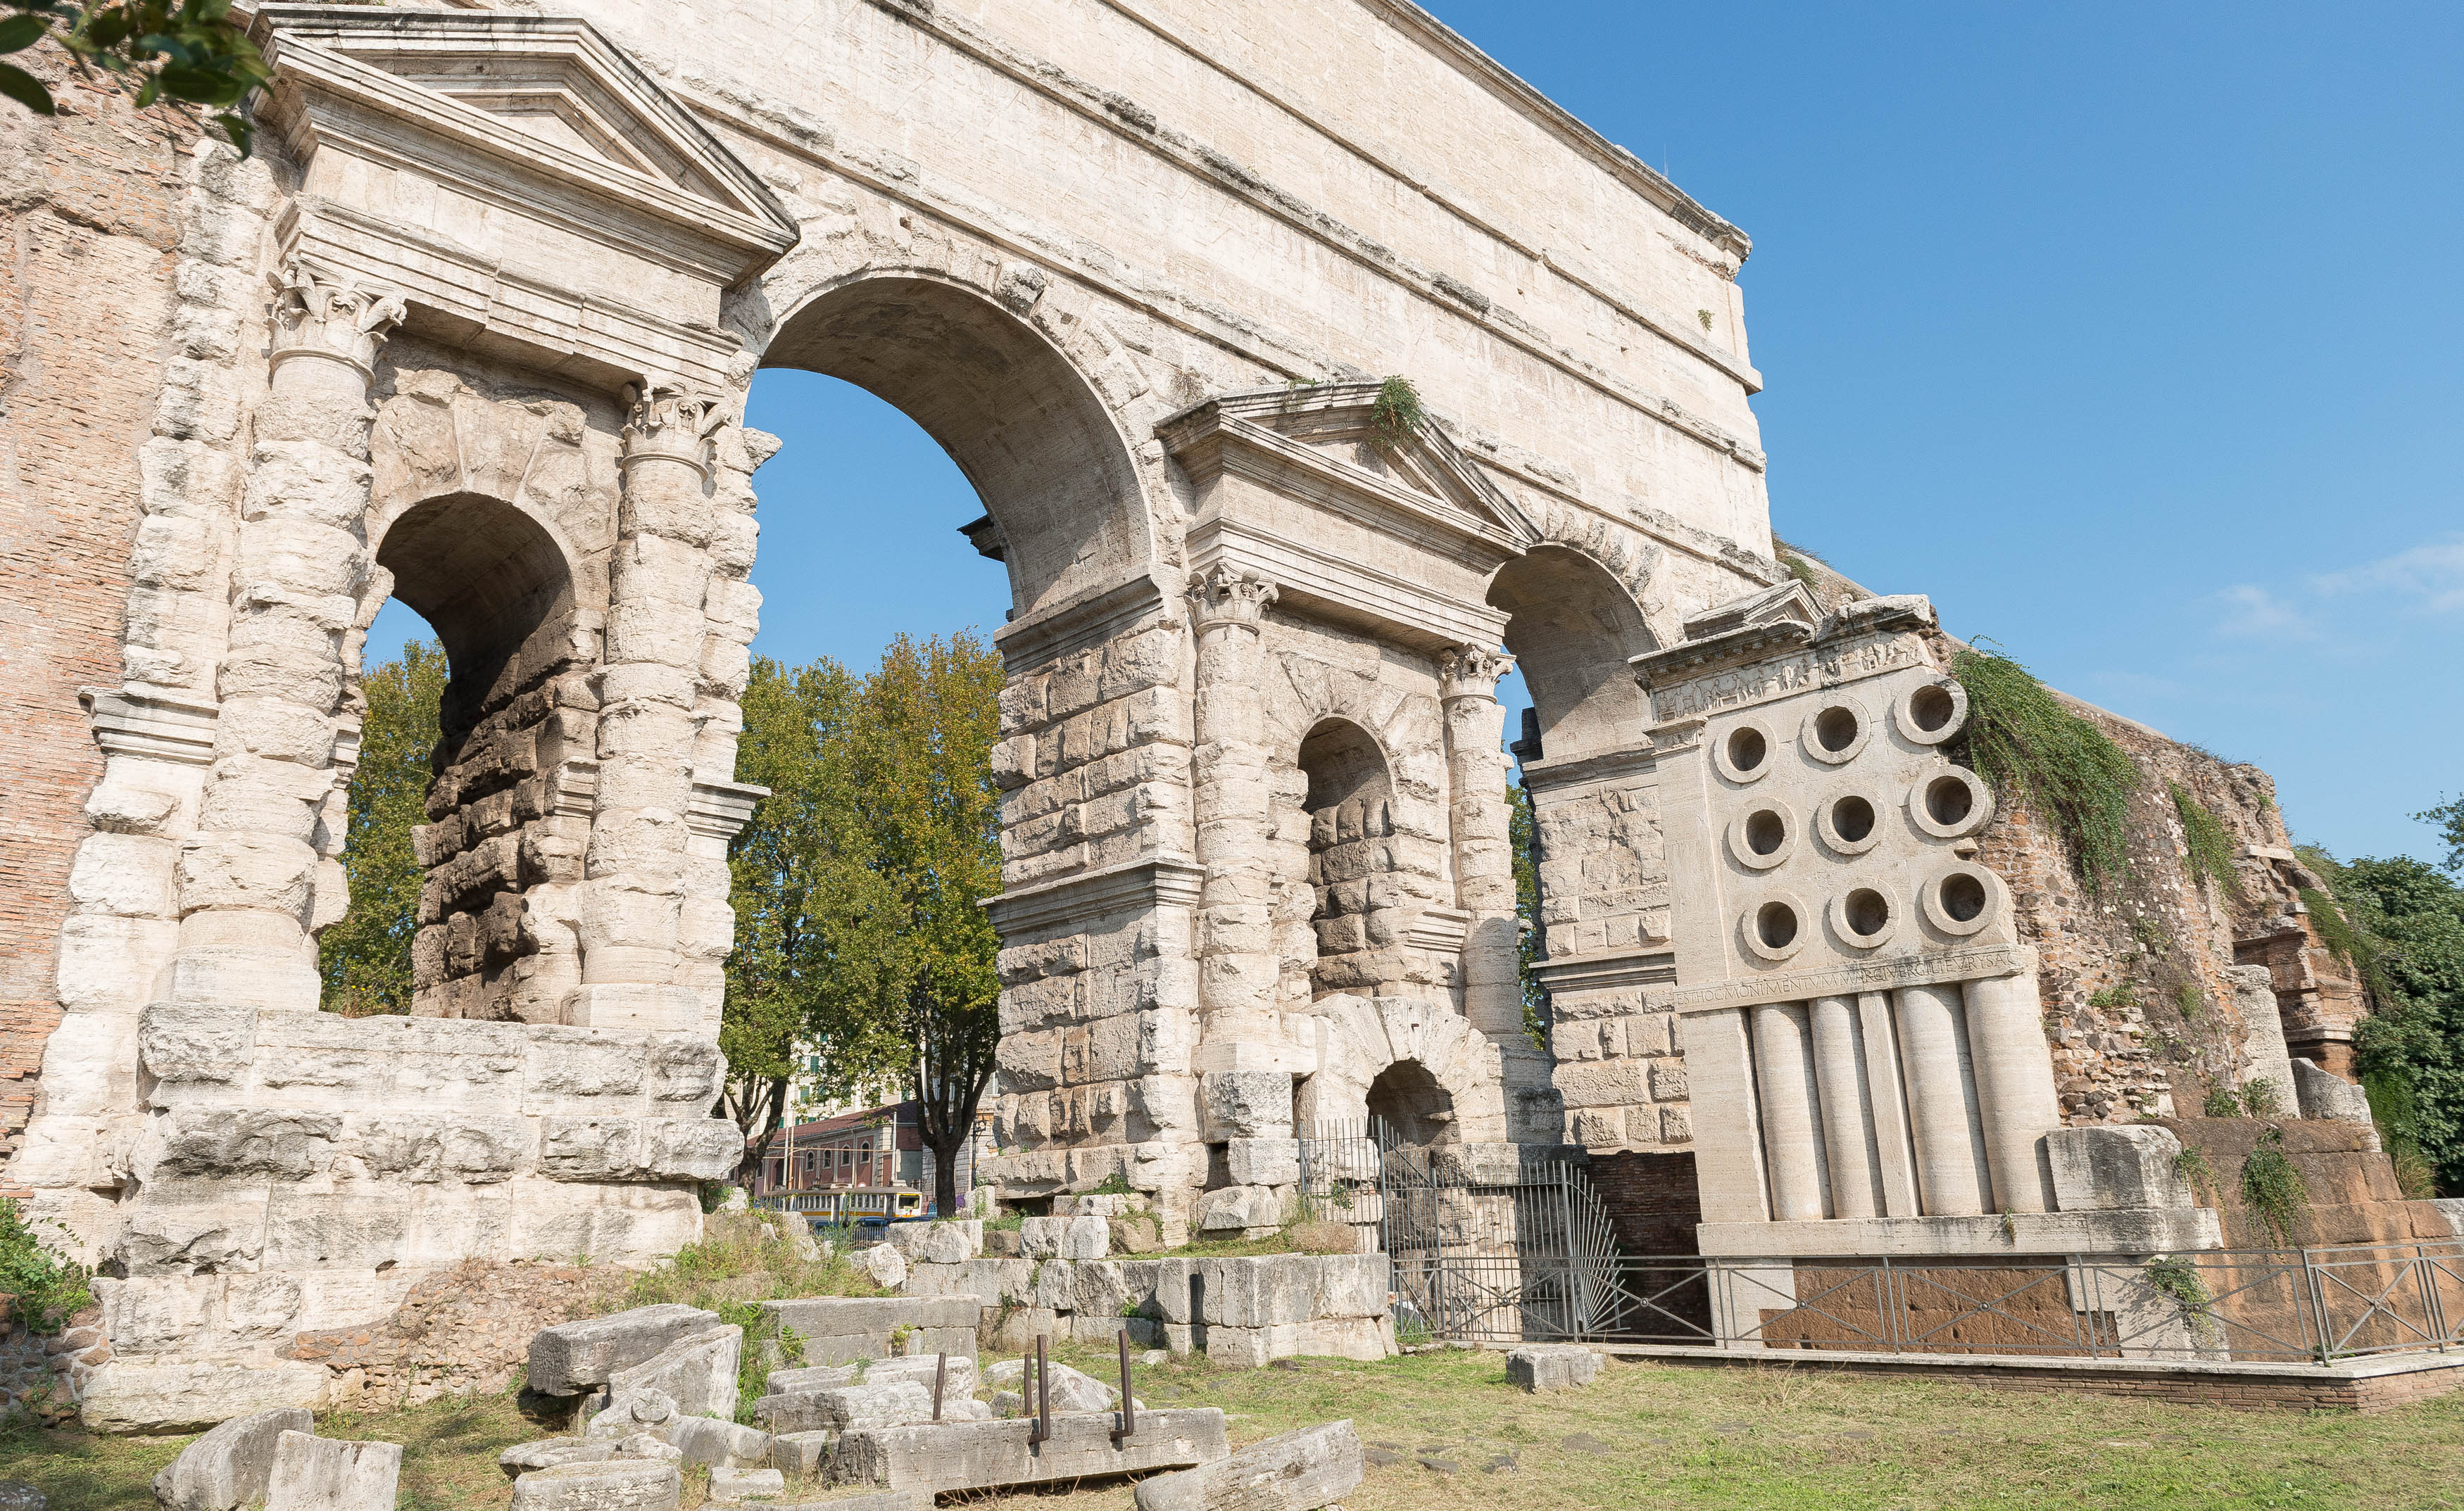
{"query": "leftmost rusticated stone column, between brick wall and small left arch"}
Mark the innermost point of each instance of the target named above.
(250, 876)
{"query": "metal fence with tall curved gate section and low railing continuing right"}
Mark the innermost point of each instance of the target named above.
(1497, 1246)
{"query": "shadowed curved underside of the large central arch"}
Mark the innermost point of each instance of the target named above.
(1009, 408)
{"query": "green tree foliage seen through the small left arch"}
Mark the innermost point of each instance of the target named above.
(368, 958)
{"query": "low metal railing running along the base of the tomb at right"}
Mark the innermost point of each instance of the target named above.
(2224, 1305)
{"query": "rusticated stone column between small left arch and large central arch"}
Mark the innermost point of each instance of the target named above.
(637, 861)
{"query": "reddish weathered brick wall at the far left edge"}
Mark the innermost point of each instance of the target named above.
(90, 228)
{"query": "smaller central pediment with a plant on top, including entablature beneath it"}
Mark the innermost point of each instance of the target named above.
(1300, 487)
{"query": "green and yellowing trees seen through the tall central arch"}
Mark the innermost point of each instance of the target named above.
(861, 938)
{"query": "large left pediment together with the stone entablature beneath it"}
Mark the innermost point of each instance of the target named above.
(521, 181)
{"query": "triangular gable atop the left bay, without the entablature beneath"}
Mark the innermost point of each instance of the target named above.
(521, 95)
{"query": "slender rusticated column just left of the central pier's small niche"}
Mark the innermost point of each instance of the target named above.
(1231, 802)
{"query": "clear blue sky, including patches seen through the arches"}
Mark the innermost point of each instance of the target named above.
(2135, 336)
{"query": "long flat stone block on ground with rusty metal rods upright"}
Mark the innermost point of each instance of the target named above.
(994, 1456)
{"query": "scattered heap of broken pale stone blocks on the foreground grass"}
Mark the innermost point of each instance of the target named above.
(864, 1414)
